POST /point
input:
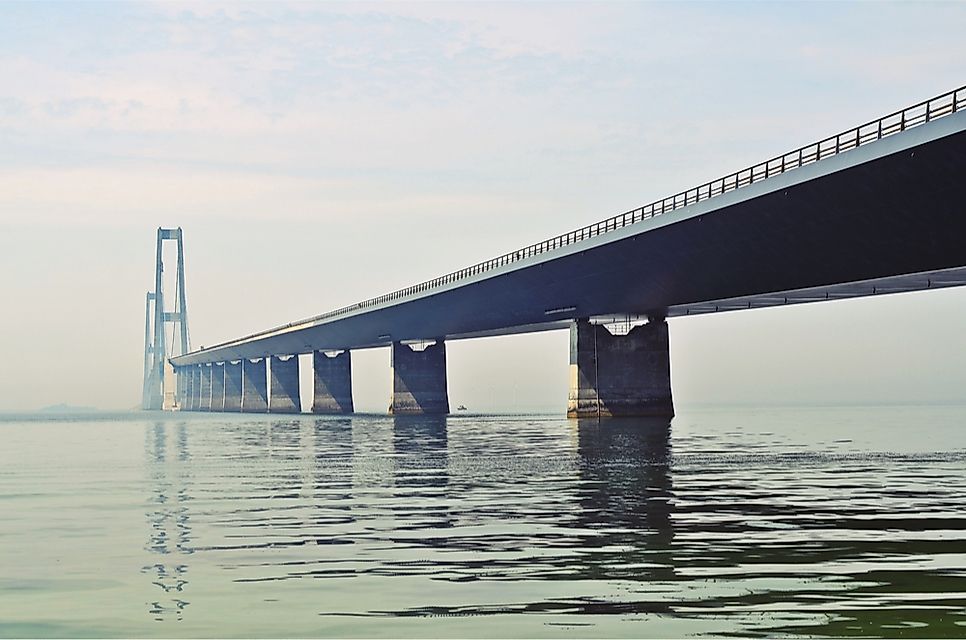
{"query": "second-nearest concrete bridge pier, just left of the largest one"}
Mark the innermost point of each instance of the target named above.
(419, 380)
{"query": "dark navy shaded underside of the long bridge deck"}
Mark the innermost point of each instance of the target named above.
(893, 223)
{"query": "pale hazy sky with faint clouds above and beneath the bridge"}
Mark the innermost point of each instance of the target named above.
(318, 154)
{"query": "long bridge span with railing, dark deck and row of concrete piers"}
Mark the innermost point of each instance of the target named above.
(877, 209)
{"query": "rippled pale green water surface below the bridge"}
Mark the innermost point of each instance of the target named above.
(844, 521)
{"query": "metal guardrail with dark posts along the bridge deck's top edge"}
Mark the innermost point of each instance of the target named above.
(918, 114)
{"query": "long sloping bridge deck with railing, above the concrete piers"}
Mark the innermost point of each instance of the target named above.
(876, 209)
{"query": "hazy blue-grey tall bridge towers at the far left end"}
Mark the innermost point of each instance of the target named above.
(159, 380)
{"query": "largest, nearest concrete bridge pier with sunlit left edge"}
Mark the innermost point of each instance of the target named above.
(626, 375)
